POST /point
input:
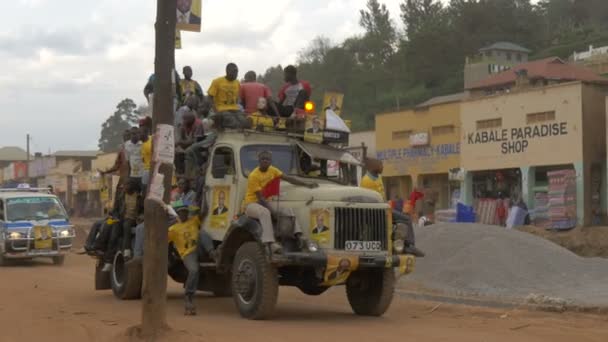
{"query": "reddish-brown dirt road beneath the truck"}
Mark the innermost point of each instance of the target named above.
(42, 302)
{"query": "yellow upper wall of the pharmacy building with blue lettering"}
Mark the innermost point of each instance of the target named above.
(401, 159)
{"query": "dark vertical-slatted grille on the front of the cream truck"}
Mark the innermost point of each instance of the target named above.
(360, 224)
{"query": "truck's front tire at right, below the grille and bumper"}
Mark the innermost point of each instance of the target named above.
(370, 292)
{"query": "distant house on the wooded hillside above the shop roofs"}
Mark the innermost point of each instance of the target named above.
(493, 59)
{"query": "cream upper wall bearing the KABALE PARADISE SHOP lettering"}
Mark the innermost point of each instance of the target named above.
(565, 99)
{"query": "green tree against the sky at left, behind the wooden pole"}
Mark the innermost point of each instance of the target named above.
(125, 117)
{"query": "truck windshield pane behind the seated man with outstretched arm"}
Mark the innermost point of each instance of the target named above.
(283, 158)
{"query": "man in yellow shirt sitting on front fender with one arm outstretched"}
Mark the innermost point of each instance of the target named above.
(257, 205)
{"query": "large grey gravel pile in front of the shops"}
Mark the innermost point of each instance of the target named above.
(489, 261)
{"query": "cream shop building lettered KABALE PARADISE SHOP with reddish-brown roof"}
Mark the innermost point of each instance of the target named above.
(523, 124)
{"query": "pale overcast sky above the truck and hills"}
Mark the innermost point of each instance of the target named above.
(67, 63)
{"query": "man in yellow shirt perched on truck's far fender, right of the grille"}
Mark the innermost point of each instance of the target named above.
(373, 181)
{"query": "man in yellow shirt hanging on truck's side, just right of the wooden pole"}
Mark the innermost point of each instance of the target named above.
(184, 236)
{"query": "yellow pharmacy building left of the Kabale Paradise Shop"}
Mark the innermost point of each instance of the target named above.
(419, 147)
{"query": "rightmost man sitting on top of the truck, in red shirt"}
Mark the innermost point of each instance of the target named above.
(294, 94)
